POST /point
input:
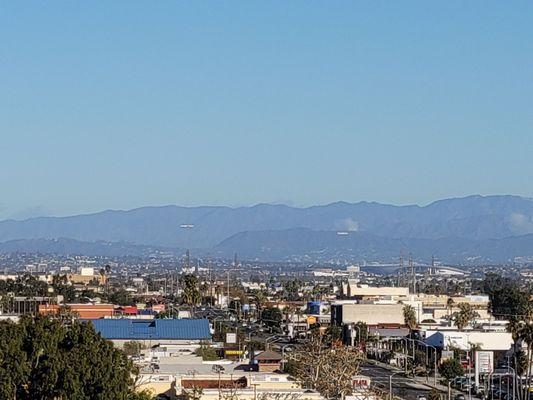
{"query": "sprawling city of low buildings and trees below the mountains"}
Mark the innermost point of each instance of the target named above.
(201, 328)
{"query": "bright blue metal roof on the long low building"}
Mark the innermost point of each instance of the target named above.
(129, 329)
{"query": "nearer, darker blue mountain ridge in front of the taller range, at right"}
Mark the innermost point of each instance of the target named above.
(360, 246)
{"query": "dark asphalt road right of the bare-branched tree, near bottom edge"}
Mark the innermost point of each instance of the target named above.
(402, 386)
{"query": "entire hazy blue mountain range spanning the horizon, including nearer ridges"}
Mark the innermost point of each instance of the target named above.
(470, 229)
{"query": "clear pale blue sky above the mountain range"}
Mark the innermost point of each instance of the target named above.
(119, 104)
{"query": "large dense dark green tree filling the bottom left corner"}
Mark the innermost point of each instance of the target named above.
(42, 358)
